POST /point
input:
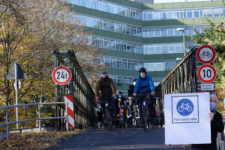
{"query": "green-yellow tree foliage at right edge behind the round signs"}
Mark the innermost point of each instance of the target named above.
(215, 36)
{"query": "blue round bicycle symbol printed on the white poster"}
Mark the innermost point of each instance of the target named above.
(185, 107)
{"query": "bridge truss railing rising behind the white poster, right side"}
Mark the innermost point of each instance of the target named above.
(182, 78)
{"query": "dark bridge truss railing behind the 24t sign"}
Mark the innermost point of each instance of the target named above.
(85, 111)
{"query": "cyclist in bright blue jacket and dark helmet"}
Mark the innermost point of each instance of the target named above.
(144, 86)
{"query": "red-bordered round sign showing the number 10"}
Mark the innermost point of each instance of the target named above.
(207, 73)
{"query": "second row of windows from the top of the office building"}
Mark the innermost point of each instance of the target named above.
(135, 30)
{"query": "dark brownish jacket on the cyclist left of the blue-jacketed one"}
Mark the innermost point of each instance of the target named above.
(106, 86)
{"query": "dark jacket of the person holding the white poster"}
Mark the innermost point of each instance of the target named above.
(216, 126)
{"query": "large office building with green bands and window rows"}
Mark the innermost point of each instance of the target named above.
(144, 33)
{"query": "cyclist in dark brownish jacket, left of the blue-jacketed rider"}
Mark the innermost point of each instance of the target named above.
(107, 90)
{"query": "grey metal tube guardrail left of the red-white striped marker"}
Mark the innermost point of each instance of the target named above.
(7, 123)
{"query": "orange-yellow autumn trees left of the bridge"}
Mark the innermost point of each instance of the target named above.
(29, 31)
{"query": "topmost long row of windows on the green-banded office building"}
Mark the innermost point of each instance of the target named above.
(148, 14)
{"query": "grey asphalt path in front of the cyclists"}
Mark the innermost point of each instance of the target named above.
(124, 139)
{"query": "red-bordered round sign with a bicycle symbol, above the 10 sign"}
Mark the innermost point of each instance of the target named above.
(206, 54)
